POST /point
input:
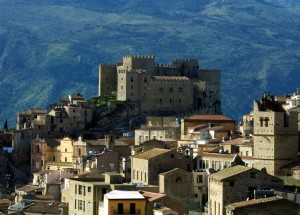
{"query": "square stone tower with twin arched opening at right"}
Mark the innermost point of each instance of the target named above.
(275, 135)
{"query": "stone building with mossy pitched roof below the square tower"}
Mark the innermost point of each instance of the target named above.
(237, 184)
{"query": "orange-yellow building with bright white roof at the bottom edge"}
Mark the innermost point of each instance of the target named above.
(124, 202)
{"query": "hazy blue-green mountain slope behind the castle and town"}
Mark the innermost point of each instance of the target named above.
(48, 50)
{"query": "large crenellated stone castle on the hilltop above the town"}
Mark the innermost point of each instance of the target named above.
(178, 87)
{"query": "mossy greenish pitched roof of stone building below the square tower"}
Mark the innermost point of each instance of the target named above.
(229, 172)
